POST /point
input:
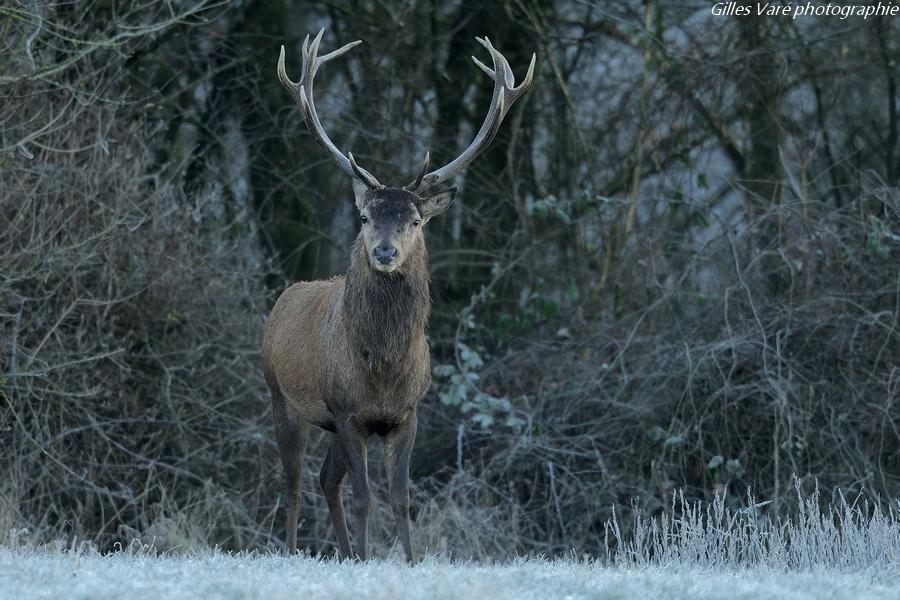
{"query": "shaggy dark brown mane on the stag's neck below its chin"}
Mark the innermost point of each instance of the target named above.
(384, 312)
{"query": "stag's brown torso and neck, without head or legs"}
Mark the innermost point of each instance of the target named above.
(328, 344)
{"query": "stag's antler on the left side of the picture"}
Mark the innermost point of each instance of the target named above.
(302, 92)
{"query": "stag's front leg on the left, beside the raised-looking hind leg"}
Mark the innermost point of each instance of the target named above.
(351, 439)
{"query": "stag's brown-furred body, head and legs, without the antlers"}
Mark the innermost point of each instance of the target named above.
(350, 356)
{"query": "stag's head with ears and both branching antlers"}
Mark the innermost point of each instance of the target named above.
(392, 217)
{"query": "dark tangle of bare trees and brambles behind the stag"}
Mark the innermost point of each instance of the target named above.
(676, 267)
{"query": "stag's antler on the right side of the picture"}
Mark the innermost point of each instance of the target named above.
(505, 94)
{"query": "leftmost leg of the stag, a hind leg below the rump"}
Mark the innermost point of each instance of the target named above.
(291, 433)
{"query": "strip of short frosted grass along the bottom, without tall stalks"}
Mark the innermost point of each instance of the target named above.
(36, 574)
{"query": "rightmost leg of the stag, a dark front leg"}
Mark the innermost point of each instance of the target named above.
(397, 451)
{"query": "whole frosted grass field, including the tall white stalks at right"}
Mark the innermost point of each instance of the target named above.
(851, 550)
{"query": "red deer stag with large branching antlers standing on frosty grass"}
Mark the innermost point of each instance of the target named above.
(349, 355)
